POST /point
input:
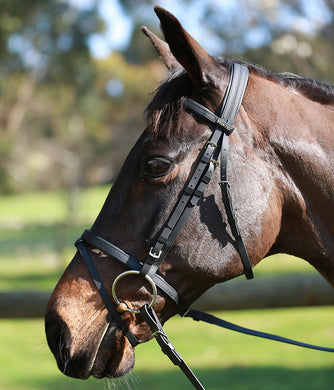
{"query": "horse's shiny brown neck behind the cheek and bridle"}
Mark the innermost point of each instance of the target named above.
(301, 138)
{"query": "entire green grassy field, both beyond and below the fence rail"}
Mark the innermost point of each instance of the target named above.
(36, 241)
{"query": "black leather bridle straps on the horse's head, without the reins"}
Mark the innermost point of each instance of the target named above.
(188, 200)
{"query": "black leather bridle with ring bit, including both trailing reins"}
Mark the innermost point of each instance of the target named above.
(189, 198)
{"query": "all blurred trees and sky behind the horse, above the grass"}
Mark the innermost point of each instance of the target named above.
(67, 118)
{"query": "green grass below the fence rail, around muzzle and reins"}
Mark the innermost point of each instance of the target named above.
(221, 359)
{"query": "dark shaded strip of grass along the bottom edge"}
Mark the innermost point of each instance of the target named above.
(236, 378)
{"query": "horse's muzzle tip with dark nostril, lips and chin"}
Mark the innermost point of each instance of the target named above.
(108, 353)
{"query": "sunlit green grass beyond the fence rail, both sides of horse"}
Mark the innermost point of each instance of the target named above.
(36, 243)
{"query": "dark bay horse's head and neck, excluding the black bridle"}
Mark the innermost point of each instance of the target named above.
(281, 170)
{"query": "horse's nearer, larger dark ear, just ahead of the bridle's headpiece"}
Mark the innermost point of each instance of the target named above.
(202, 68)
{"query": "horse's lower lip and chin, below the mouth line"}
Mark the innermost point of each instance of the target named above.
(115, 356)
